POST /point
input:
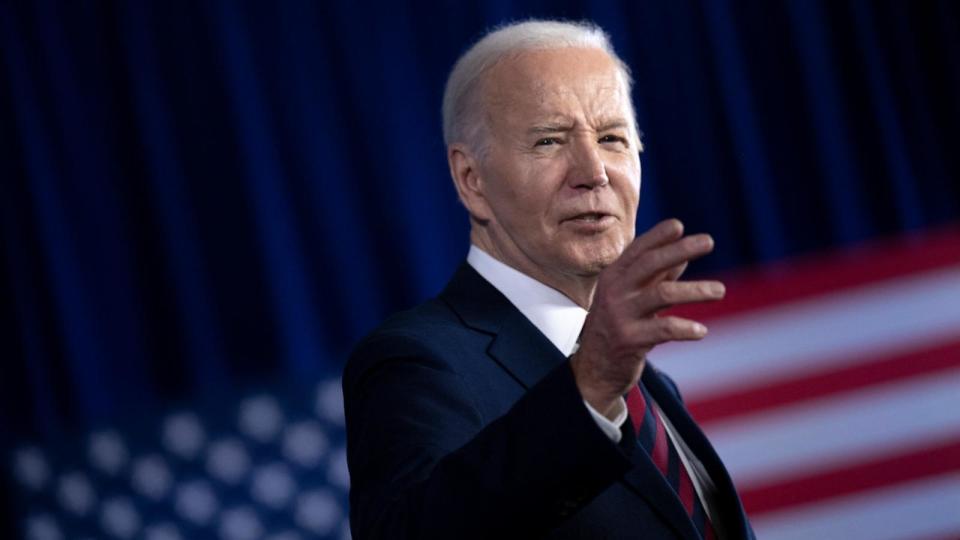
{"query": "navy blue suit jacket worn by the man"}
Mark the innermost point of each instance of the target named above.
(464, 421)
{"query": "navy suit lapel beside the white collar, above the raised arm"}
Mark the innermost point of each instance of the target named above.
(516, 344)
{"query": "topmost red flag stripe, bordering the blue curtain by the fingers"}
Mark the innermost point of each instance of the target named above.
(802, 277)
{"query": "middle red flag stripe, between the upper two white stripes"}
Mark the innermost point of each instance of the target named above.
(708, 409)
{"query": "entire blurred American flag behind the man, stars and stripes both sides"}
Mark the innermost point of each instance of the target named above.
(830, 386)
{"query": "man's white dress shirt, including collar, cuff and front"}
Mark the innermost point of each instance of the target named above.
(560, 319)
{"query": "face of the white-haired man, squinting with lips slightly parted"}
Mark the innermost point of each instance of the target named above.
(561, 175)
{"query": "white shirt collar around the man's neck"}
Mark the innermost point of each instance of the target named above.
(557, 317)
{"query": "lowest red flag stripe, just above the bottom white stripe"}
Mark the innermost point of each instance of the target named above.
(879, 473)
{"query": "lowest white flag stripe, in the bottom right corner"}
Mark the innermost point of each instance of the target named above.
(923, 509)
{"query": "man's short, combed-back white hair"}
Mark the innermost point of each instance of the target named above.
(462, 108)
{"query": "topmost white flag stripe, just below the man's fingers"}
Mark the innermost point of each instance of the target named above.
(846, 328)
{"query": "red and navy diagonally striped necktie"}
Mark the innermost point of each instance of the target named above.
(652, 436)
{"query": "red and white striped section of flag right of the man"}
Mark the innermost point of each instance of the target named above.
(830, 386)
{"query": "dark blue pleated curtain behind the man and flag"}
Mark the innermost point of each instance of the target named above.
(199, 194)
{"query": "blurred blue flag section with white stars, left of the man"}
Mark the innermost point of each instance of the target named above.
(267, 464)
